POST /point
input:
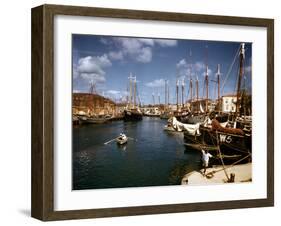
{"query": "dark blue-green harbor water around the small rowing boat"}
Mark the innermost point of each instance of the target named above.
(154, 158)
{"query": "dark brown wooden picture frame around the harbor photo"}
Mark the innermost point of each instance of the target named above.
(43, 112)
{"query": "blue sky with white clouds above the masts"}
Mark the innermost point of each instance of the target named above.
(108, 61)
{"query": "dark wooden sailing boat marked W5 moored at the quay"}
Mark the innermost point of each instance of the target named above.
(230, 141)
